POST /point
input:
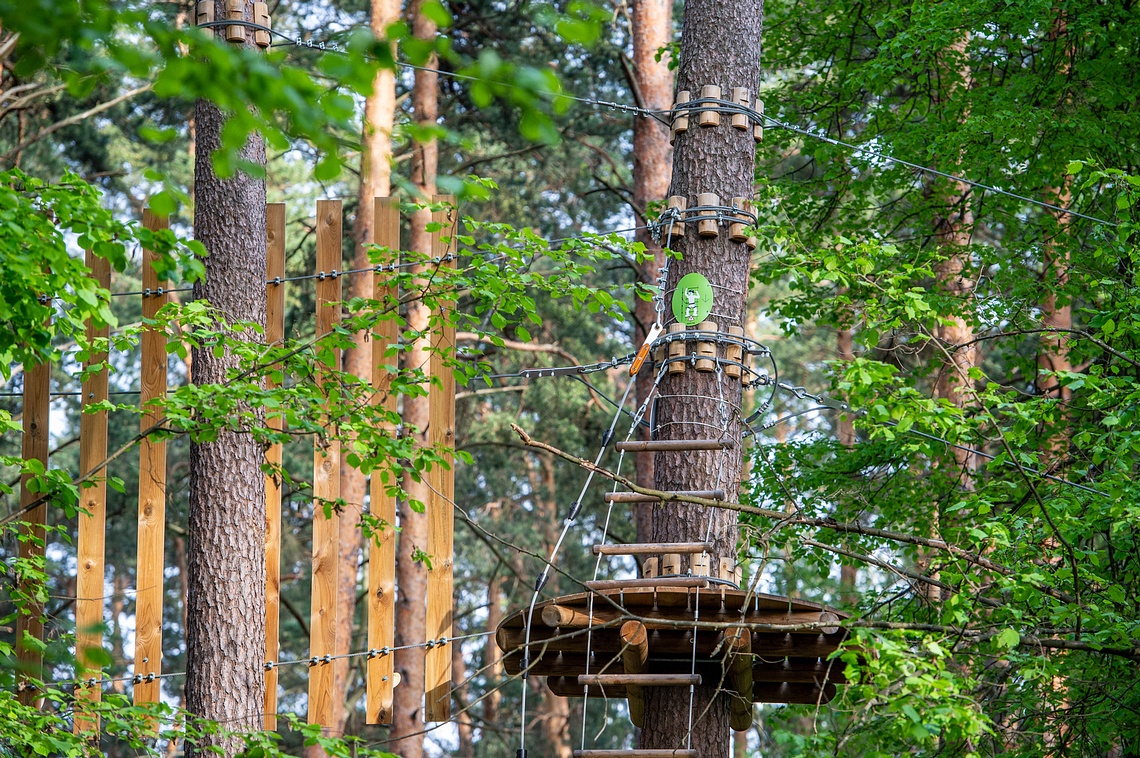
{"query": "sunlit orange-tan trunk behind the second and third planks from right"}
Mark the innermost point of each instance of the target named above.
(376, 182)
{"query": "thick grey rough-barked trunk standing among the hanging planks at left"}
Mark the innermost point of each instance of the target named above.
(226, 547)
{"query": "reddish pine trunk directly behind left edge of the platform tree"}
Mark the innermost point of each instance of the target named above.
(652, 25)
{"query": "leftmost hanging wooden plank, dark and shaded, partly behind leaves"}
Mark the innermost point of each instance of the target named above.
(30, 623)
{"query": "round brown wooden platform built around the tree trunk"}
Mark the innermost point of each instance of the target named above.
(787, 667)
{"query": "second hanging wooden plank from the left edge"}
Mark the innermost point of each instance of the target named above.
(93, 519)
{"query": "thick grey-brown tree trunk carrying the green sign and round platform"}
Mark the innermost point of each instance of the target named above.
(720, 45)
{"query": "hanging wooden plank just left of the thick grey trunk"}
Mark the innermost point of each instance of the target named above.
(152, 518)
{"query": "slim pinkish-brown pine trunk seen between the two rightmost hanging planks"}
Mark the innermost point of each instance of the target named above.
(412, 577)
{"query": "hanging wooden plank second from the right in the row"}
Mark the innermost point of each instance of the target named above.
(380, 672)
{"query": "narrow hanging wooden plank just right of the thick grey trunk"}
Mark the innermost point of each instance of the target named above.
(275, 332)
